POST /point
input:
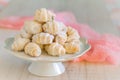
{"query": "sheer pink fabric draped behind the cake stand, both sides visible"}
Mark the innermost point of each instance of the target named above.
(104, 48)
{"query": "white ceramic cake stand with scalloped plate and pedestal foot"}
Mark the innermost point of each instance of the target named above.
(46, 65)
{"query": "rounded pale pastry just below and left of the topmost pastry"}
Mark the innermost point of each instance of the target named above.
(32, 27)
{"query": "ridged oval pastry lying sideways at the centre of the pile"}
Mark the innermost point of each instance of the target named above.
(43, 38)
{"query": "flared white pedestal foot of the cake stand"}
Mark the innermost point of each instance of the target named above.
(46, 68)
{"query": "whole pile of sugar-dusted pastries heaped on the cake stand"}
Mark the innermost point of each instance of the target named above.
(45, 33)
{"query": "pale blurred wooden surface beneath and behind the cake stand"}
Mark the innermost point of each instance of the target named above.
(91, 12)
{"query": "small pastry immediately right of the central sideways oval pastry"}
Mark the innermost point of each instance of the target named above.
(61, 38)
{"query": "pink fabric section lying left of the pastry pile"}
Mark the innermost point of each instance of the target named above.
(13, 22)
